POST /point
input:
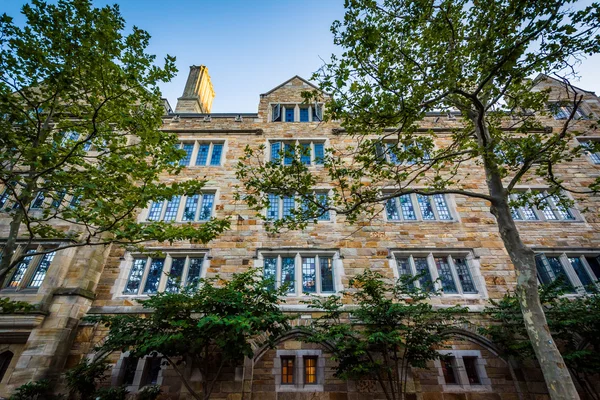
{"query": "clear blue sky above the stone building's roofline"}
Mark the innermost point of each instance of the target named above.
(249, 46)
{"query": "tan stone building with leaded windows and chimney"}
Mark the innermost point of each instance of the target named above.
(445, 235)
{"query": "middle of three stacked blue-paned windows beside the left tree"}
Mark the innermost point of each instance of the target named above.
(199, 207)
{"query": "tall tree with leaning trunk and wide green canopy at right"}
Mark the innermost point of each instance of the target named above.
(402, 58)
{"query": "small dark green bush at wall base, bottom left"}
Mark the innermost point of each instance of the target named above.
(83, 378)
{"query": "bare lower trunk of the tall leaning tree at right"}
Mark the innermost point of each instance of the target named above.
(558, 379)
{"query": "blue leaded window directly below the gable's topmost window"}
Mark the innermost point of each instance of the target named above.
(308, 152)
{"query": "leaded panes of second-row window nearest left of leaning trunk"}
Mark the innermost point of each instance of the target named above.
(454, 272)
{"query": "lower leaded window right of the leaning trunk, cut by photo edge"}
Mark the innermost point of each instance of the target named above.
(579, 272)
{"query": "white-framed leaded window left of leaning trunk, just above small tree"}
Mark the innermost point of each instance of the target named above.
(453, 273)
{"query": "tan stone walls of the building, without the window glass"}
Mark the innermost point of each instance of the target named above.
(94, 281)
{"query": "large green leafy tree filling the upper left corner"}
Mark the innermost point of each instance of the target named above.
(80, 147)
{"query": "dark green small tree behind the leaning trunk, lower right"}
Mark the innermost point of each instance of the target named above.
(574, 323)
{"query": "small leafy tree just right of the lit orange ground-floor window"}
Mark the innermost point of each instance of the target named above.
(392, 329)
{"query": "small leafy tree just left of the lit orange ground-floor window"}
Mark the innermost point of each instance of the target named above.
(216, 325)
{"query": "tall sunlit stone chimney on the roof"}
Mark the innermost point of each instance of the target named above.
(198, 94)
